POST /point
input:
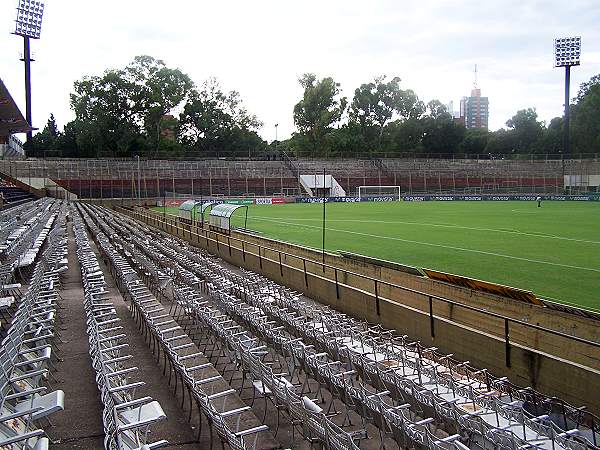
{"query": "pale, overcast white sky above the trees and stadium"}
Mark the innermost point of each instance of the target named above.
(260, 48)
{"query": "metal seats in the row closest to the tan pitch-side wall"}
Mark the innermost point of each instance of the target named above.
(485, 407)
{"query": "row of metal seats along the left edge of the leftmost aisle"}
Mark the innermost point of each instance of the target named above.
(27, 349)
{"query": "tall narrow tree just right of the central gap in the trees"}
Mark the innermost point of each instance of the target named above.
(320, 108)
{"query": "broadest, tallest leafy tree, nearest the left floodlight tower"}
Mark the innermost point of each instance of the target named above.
(121, 111)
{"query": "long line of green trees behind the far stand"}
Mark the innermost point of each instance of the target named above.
(151, 110)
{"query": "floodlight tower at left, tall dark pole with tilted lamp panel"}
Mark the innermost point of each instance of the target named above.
(29, 26)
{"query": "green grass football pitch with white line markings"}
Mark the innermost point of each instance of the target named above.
(553, 250)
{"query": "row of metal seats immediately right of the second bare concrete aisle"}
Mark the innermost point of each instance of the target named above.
(212, 395)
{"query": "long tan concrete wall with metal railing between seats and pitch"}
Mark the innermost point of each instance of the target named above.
(547, 363)
